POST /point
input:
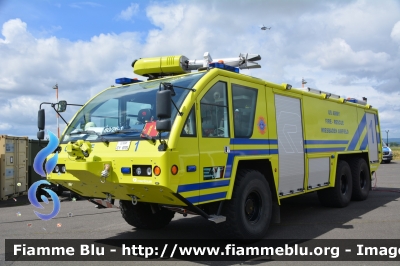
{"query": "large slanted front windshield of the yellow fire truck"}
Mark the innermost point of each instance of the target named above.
(120, 113)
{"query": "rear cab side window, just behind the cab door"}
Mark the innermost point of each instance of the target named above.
(244, 106)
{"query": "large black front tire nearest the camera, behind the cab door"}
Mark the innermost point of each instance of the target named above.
(248, 213)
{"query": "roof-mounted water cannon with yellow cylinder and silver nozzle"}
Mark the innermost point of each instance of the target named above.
(178, 64)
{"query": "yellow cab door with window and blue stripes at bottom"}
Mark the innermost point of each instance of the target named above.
(214, 139)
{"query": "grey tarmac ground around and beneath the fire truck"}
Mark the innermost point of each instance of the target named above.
(302, 217)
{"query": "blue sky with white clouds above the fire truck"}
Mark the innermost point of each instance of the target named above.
(349, 48)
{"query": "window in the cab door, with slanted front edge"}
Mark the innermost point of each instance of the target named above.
(214, 112)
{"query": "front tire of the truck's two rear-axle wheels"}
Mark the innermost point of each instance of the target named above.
(340, 195)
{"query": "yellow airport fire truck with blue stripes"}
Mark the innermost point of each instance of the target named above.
(216, 143)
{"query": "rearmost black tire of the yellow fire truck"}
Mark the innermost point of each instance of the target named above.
(361, 179)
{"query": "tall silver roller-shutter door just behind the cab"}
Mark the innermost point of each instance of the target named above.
(290, 144)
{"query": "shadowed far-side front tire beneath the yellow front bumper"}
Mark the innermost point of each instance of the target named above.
(141, 215)
